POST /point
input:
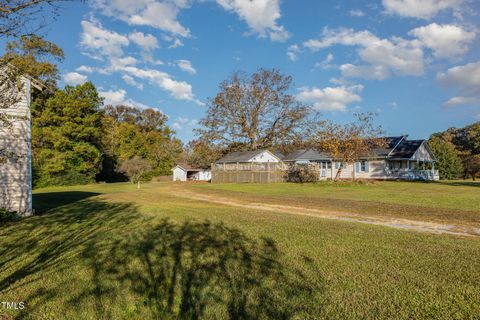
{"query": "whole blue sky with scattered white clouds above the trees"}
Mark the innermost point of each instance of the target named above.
(416, 63)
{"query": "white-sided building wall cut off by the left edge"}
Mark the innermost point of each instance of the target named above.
(15, 174)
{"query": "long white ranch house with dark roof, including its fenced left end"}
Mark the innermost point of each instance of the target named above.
(401, 159)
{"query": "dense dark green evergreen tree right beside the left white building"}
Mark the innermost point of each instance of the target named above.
(66, 136)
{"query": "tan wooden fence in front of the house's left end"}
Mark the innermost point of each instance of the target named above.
(249, 172)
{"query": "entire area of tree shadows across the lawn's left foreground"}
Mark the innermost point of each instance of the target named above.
(154, 269)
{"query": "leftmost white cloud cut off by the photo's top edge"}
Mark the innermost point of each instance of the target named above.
(162, 15)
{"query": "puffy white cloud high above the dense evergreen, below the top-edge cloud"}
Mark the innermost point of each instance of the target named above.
(99, 42)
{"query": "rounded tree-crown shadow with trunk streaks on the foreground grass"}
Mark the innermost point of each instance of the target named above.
(203, 270)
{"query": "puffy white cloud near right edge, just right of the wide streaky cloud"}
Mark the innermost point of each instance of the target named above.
(446, 41)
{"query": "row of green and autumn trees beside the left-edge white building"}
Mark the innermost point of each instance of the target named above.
(77, 140)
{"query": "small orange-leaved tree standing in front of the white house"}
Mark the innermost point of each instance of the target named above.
(350, 142)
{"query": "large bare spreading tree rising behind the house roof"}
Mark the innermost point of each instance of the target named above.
(255, 111)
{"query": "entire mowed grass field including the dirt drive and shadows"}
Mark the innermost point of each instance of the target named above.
(173, 250)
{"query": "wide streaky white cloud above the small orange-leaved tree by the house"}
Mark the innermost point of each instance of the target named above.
(383, 56)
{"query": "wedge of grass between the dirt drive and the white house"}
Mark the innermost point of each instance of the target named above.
(455, 202)
